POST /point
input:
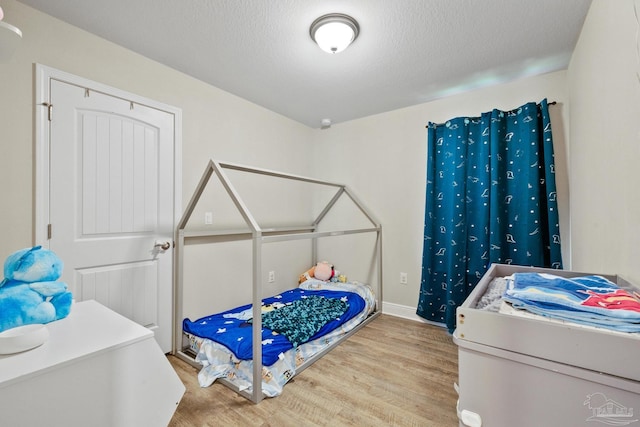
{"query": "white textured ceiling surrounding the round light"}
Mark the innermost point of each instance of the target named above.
(408, 52)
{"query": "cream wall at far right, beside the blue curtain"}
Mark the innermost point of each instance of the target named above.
(604, 86)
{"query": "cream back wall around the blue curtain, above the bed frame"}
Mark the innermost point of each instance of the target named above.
(383, 158)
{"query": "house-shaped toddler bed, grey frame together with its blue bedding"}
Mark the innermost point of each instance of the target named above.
(261, 370)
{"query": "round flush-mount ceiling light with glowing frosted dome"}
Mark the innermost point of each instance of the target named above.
(334, 32)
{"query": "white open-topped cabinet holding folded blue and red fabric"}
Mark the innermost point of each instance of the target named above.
(532, 372)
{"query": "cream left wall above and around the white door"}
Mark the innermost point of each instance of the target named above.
(215, 123)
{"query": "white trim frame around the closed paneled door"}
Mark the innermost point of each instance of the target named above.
(43, 76)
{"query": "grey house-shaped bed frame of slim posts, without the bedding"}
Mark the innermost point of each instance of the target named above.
(261, 236)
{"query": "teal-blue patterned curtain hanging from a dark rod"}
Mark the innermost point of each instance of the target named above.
(491, 198)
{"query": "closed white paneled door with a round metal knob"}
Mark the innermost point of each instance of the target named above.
(111, 202)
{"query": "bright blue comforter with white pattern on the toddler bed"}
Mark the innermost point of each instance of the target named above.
(232, 328)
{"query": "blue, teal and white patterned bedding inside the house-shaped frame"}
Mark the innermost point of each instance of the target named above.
(222, 342)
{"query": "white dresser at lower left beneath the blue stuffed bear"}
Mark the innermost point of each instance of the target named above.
(97, 368)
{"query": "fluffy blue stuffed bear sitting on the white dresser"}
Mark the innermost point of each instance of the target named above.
(30, 292)
